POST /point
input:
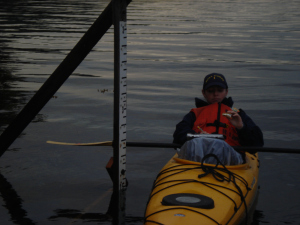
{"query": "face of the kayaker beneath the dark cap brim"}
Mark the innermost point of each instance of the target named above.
(214, 94)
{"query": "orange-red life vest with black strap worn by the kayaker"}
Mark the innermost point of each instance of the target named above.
(209, 118)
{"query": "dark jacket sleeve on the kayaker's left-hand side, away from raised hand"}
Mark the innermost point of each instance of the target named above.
(183, 128)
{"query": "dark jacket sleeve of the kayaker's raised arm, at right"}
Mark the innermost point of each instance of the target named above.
(250, 134)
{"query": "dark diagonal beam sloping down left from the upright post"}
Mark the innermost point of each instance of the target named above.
(58, 77)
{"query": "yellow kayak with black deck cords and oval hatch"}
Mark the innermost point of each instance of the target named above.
(188, 192)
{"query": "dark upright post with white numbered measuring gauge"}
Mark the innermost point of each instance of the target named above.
(120, 105)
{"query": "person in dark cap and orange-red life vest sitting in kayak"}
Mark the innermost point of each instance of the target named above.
(216, 116)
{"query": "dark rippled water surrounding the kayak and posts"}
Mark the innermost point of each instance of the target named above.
(172, 45)
